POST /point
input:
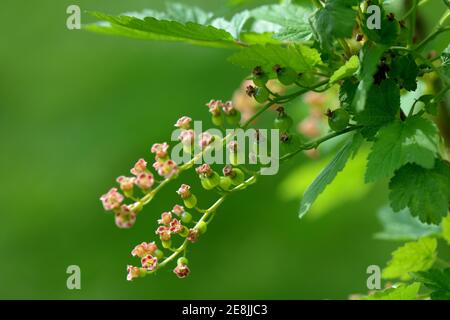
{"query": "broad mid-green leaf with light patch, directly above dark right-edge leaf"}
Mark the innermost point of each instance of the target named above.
(414, 140)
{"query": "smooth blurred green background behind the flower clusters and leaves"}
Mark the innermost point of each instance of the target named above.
(77, 109)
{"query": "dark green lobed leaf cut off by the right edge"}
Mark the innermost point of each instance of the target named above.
(426, 192)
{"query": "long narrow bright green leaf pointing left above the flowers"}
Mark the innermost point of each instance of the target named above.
(153, 29)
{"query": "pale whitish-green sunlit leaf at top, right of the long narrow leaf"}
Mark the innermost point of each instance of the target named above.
(291, 21)
